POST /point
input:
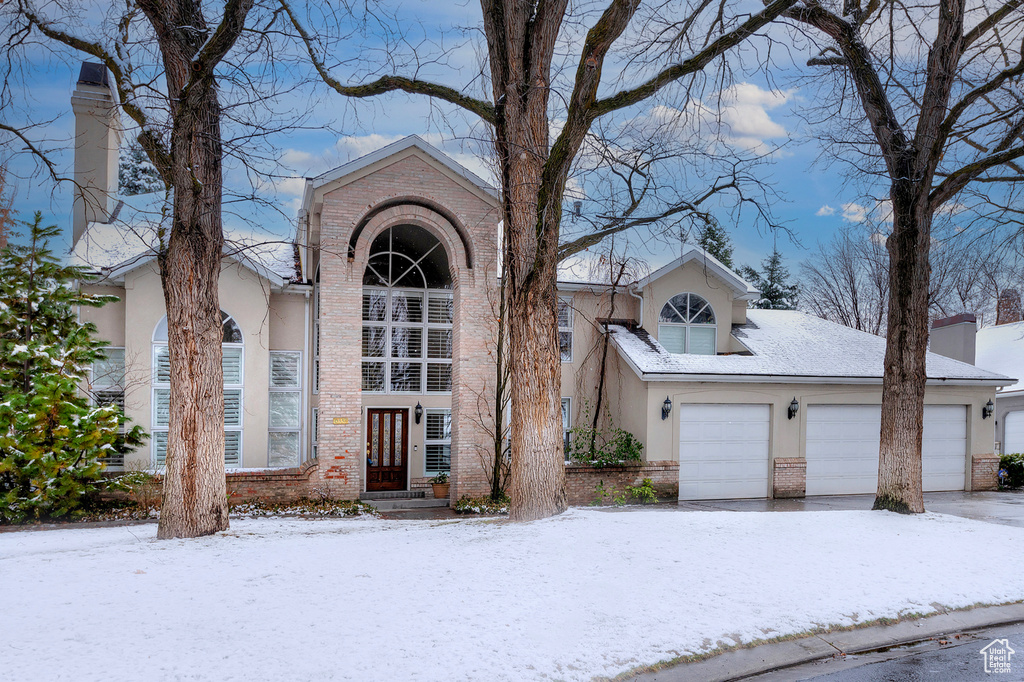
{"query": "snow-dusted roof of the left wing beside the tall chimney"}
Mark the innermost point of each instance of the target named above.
(133, 239)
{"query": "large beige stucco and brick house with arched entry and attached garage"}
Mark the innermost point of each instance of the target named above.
(360, 359)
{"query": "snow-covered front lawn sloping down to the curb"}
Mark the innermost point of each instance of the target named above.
(588, 593)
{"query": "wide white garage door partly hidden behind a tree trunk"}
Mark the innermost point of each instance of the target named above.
(843, 449)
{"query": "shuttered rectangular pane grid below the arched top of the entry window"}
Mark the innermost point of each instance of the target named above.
(407, 342)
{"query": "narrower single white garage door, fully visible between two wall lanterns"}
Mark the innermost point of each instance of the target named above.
(723, 452)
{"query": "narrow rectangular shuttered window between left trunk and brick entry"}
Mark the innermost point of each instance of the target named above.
(286, 408)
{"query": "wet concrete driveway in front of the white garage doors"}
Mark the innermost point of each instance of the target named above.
(1006, 507)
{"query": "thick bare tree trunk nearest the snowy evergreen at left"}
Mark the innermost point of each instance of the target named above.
(195, 489)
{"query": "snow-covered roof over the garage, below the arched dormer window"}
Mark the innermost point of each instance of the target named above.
(786, 347)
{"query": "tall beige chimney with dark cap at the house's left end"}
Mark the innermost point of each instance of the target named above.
(98, 141)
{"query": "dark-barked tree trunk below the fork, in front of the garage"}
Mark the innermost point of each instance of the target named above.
(905, 379)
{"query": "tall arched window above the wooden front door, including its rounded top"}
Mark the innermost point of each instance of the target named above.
(407, 314)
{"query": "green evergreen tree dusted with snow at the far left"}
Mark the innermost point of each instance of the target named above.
(52, 439)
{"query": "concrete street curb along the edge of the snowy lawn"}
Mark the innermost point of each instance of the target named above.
(741, 664)
